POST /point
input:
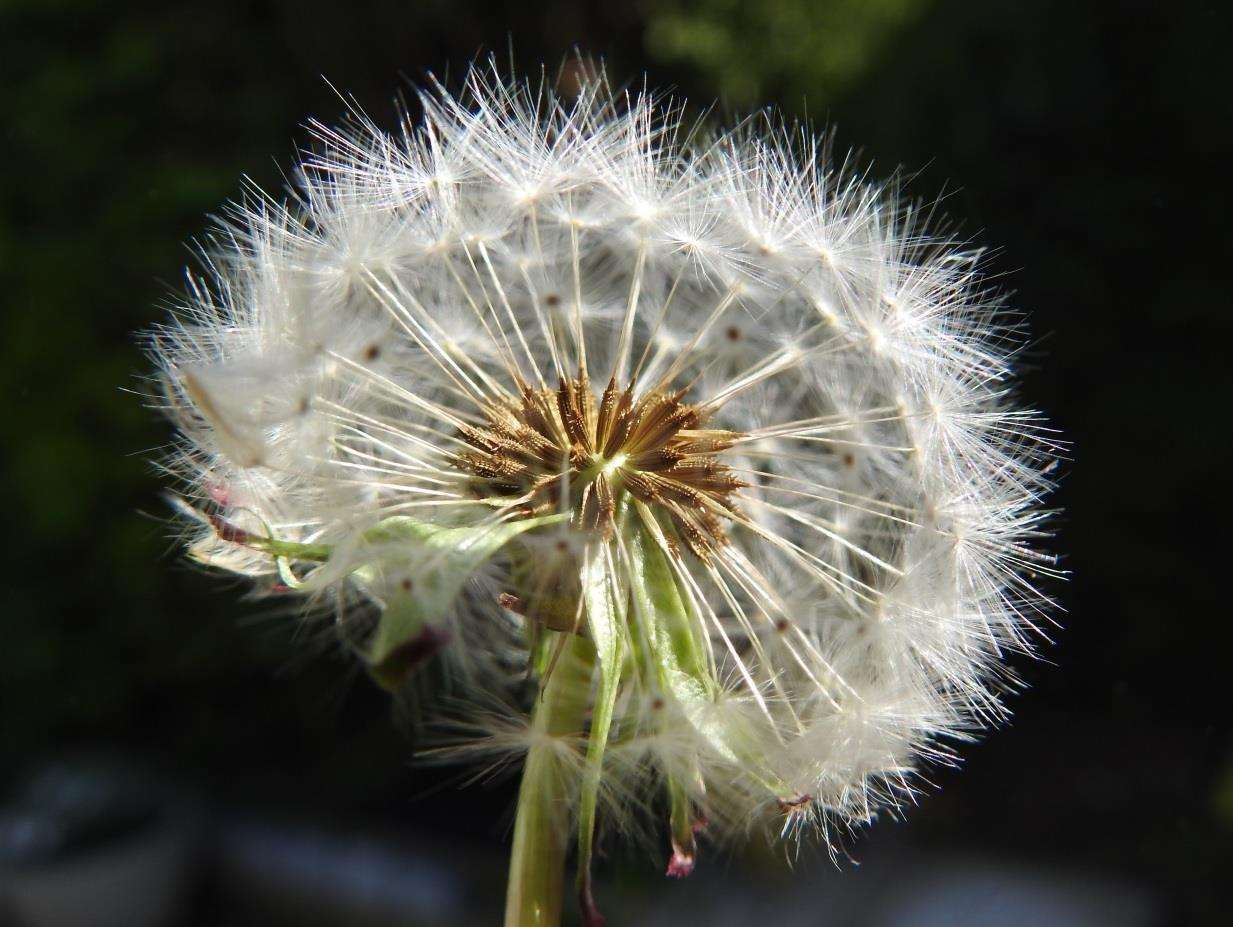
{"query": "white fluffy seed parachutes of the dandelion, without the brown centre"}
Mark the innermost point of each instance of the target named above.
(883, 563)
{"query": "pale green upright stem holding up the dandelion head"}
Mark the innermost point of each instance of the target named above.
(542, 829)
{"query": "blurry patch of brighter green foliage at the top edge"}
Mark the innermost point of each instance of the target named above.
(779, 50)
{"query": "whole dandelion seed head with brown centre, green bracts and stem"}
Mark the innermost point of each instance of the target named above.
(690, 460)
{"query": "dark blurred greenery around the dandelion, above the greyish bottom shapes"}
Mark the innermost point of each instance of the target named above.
(1091, 140)
